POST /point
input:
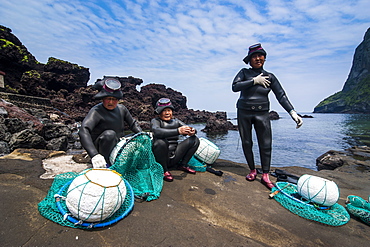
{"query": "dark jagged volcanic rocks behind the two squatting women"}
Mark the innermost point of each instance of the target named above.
(41, 105)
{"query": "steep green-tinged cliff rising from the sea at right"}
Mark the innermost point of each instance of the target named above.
(355, 95)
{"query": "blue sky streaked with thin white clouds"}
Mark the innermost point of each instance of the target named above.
(197, 47)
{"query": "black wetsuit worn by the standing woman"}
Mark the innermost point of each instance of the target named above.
(253, 109)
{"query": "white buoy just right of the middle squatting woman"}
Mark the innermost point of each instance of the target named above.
(207, 151)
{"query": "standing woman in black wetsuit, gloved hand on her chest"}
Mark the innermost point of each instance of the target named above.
(253, 105)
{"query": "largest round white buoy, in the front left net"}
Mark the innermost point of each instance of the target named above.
(95, 194)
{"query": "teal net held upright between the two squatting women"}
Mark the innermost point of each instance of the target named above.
(136, 162)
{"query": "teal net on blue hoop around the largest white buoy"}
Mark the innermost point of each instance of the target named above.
(48, 206)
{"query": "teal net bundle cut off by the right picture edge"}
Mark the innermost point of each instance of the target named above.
(359, 208)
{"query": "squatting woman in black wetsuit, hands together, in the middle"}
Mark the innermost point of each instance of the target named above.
(166, 130)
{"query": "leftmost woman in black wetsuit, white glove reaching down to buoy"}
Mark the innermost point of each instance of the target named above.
(105, 123)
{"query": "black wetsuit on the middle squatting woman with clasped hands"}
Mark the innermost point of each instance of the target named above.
(167, 151)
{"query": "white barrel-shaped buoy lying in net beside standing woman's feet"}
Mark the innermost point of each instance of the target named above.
(318, 190)
